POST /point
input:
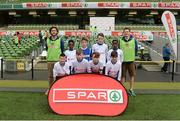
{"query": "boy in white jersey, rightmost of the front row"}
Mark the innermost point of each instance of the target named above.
(113, 67)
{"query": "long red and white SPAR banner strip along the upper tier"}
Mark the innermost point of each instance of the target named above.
(92, 5)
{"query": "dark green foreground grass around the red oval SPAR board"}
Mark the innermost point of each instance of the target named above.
(16, 106)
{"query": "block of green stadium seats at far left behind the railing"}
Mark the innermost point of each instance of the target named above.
(8, 49)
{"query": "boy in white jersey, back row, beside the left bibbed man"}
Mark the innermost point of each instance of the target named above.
(71, 53)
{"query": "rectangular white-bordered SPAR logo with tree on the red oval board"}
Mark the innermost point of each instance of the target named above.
(87, 95)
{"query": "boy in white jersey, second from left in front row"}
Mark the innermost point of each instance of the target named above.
(81, 64)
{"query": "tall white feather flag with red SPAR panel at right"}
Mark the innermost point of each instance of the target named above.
(169, 23)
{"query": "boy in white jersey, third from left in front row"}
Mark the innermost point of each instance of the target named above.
(95, 66)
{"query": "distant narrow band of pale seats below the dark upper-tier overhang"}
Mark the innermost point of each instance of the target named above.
(76, 27)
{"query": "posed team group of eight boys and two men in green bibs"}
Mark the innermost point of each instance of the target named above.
(91, 60)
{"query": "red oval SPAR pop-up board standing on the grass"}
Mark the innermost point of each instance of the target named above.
(89, 94)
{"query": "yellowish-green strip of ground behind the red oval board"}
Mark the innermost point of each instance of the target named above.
(44, 84)
